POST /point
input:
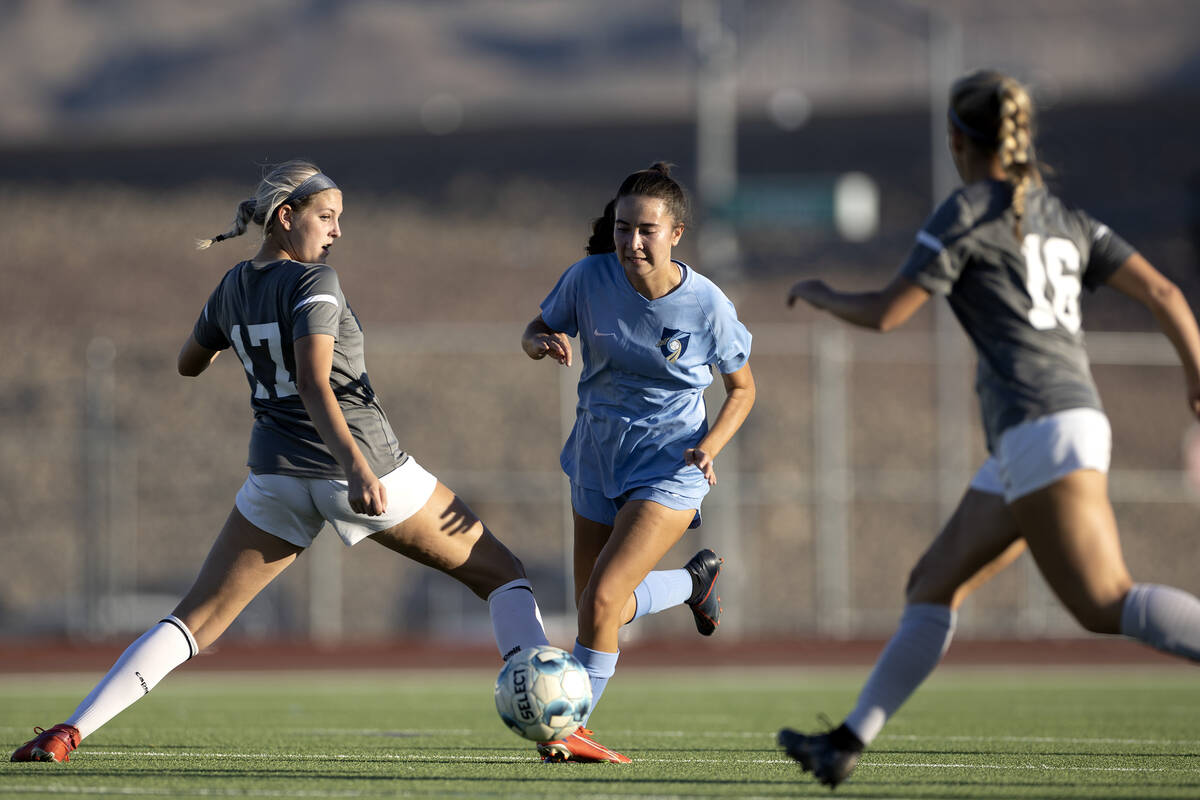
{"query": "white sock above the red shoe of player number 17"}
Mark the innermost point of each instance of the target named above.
(141, 667)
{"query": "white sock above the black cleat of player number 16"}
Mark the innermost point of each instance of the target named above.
(919, 645)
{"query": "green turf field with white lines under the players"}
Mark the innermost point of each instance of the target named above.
(981, 733)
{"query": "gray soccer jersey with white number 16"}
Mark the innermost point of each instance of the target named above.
(1018, 297)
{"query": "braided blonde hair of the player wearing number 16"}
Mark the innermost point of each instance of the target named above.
(997, 113)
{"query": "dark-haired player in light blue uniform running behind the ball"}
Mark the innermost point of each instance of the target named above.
(651, 332)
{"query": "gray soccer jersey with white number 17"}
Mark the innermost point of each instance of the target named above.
(262, 311)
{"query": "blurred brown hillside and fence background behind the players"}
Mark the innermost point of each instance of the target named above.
(476, 142)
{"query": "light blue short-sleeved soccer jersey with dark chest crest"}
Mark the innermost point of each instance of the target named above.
(646, 366)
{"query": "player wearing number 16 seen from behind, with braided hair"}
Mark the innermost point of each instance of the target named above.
(1012, 260)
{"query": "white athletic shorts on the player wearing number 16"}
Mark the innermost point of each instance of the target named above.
(1036, 454)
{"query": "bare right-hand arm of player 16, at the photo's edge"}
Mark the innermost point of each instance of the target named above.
(1139, 280)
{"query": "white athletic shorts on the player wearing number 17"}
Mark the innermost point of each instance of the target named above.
(296, 509)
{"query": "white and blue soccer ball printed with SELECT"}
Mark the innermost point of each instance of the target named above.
(543, 694)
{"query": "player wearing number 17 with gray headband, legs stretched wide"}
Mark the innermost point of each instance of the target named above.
(321, 452)
